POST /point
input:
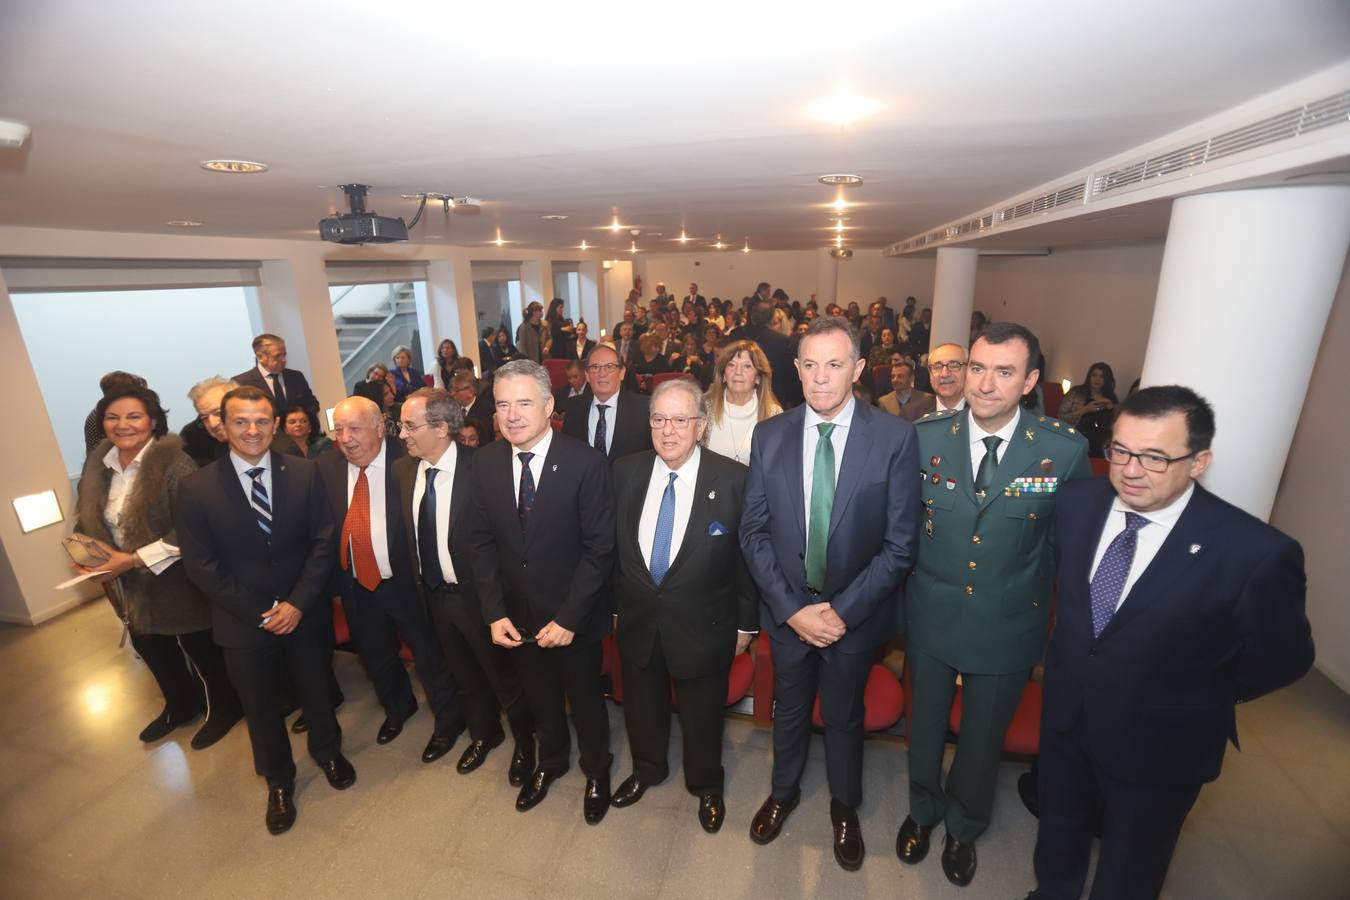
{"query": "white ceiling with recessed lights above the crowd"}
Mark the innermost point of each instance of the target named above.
(688, 115)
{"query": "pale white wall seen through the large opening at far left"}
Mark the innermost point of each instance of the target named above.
(75, 339)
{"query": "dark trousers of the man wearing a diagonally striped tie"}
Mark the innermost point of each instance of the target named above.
(260, 675)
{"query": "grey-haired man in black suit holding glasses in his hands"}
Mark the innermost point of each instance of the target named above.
(543, 546)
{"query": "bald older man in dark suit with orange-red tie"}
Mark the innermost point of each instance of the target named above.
(375, 580)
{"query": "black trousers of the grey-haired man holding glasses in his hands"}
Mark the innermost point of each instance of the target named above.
(557, 678)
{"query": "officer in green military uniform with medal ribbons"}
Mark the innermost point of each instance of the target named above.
(979, 598)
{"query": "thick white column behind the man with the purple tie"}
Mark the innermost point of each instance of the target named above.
(1247, 285)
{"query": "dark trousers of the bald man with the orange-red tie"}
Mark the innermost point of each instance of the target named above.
(377, 620)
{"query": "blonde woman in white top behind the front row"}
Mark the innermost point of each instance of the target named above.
(740, 399)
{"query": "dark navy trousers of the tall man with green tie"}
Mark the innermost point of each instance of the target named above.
(840, 679)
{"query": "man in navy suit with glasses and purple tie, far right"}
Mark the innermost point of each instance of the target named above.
(1174, 608)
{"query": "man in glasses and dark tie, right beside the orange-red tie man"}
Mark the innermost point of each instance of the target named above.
(438, 523)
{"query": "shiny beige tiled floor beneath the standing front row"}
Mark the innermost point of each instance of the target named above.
(88, 812)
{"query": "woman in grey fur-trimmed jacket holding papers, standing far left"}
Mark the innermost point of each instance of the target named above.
(126, 504)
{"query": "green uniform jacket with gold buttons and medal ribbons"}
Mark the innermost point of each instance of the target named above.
(979, 597)
